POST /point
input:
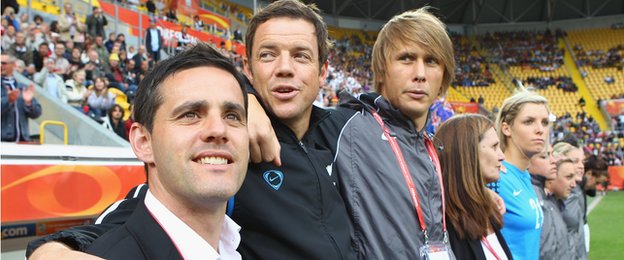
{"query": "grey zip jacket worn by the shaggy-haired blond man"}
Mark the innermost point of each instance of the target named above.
(385, 221)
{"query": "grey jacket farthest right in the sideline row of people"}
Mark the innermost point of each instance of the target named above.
(573, 217)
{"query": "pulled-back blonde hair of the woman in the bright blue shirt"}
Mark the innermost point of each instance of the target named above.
(512, 106)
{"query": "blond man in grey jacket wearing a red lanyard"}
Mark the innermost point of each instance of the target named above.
(395, 200)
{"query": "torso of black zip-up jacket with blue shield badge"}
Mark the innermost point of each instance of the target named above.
(295, 211)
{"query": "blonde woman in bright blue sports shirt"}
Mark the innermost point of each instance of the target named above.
(522, 126)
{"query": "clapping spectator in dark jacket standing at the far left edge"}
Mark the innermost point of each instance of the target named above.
(18, 104)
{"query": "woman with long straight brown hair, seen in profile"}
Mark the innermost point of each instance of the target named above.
(470, 158)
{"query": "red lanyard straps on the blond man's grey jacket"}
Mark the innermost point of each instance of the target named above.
(408, 178)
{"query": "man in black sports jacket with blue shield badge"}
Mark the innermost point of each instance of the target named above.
(287, 211)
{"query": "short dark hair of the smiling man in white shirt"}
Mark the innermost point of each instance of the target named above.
(148, 97)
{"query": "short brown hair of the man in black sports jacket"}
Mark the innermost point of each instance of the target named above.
(296, 10)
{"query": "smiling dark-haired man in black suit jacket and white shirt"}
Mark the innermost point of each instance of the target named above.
(195, 145)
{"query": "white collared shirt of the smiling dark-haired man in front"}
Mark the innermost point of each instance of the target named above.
(190, 244)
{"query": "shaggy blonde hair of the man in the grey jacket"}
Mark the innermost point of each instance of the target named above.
(414, 27)
